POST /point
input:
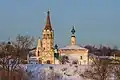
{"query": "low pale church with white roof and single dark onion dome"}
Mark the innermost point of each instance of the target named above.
(74, 51)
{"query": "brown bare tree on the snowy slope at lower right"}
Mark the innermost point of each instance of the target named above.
(99, 70)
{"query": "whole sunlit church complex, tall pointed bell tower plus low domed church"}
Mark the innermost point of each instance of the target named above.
(46, 53)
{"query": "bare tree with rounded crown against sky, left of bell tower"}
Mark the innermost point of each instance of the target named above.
(24, 44)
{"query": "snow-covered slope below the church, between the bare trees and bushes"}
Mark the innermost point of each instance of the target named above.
(55, 72)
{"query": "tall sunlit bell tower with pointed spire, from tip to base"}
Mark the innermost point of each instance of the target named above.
(48, 41)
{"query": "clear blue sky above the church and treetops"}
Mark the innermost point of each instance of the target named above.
(96, 21)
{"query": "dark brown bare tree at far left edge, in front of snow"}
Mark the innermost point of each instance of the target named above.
(8, 58)
